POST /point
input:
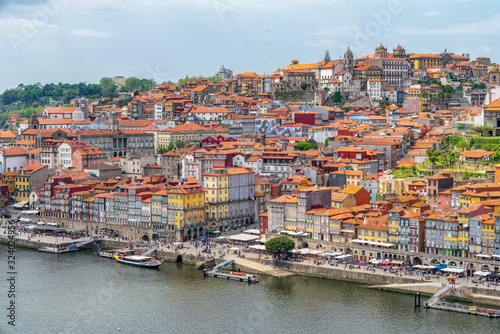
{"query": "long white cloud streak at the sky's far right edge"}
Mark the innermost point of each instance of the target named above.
(489, 26)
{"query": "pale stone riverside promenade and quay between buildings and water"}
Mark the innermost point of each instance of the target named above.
(264, 264)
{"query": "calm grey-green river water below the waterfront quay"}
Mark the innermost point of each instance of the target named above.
(82, 293)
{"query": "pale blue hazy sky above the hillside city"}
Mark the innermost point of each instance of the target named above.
(74, 41)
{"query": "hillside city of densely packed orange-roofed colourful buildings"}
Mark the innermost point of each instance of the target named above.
(336, 150)
